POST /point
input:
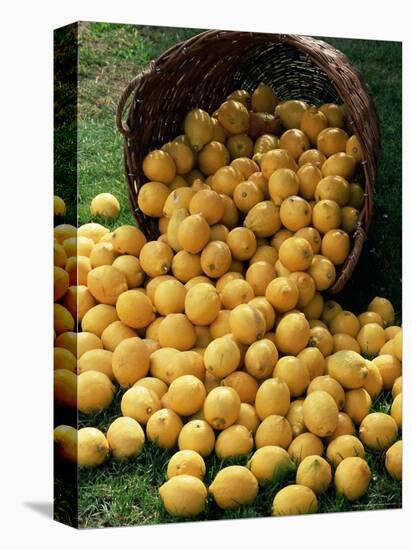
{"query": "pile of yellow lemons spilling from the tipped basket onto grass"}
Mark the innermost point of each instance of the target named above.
(219, 332)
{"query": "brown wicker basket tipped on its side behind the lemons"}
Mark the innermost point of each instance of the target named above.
(203, 70)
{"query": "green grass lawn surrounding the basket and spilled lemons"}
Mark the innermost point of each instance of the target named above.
(109, 57)
